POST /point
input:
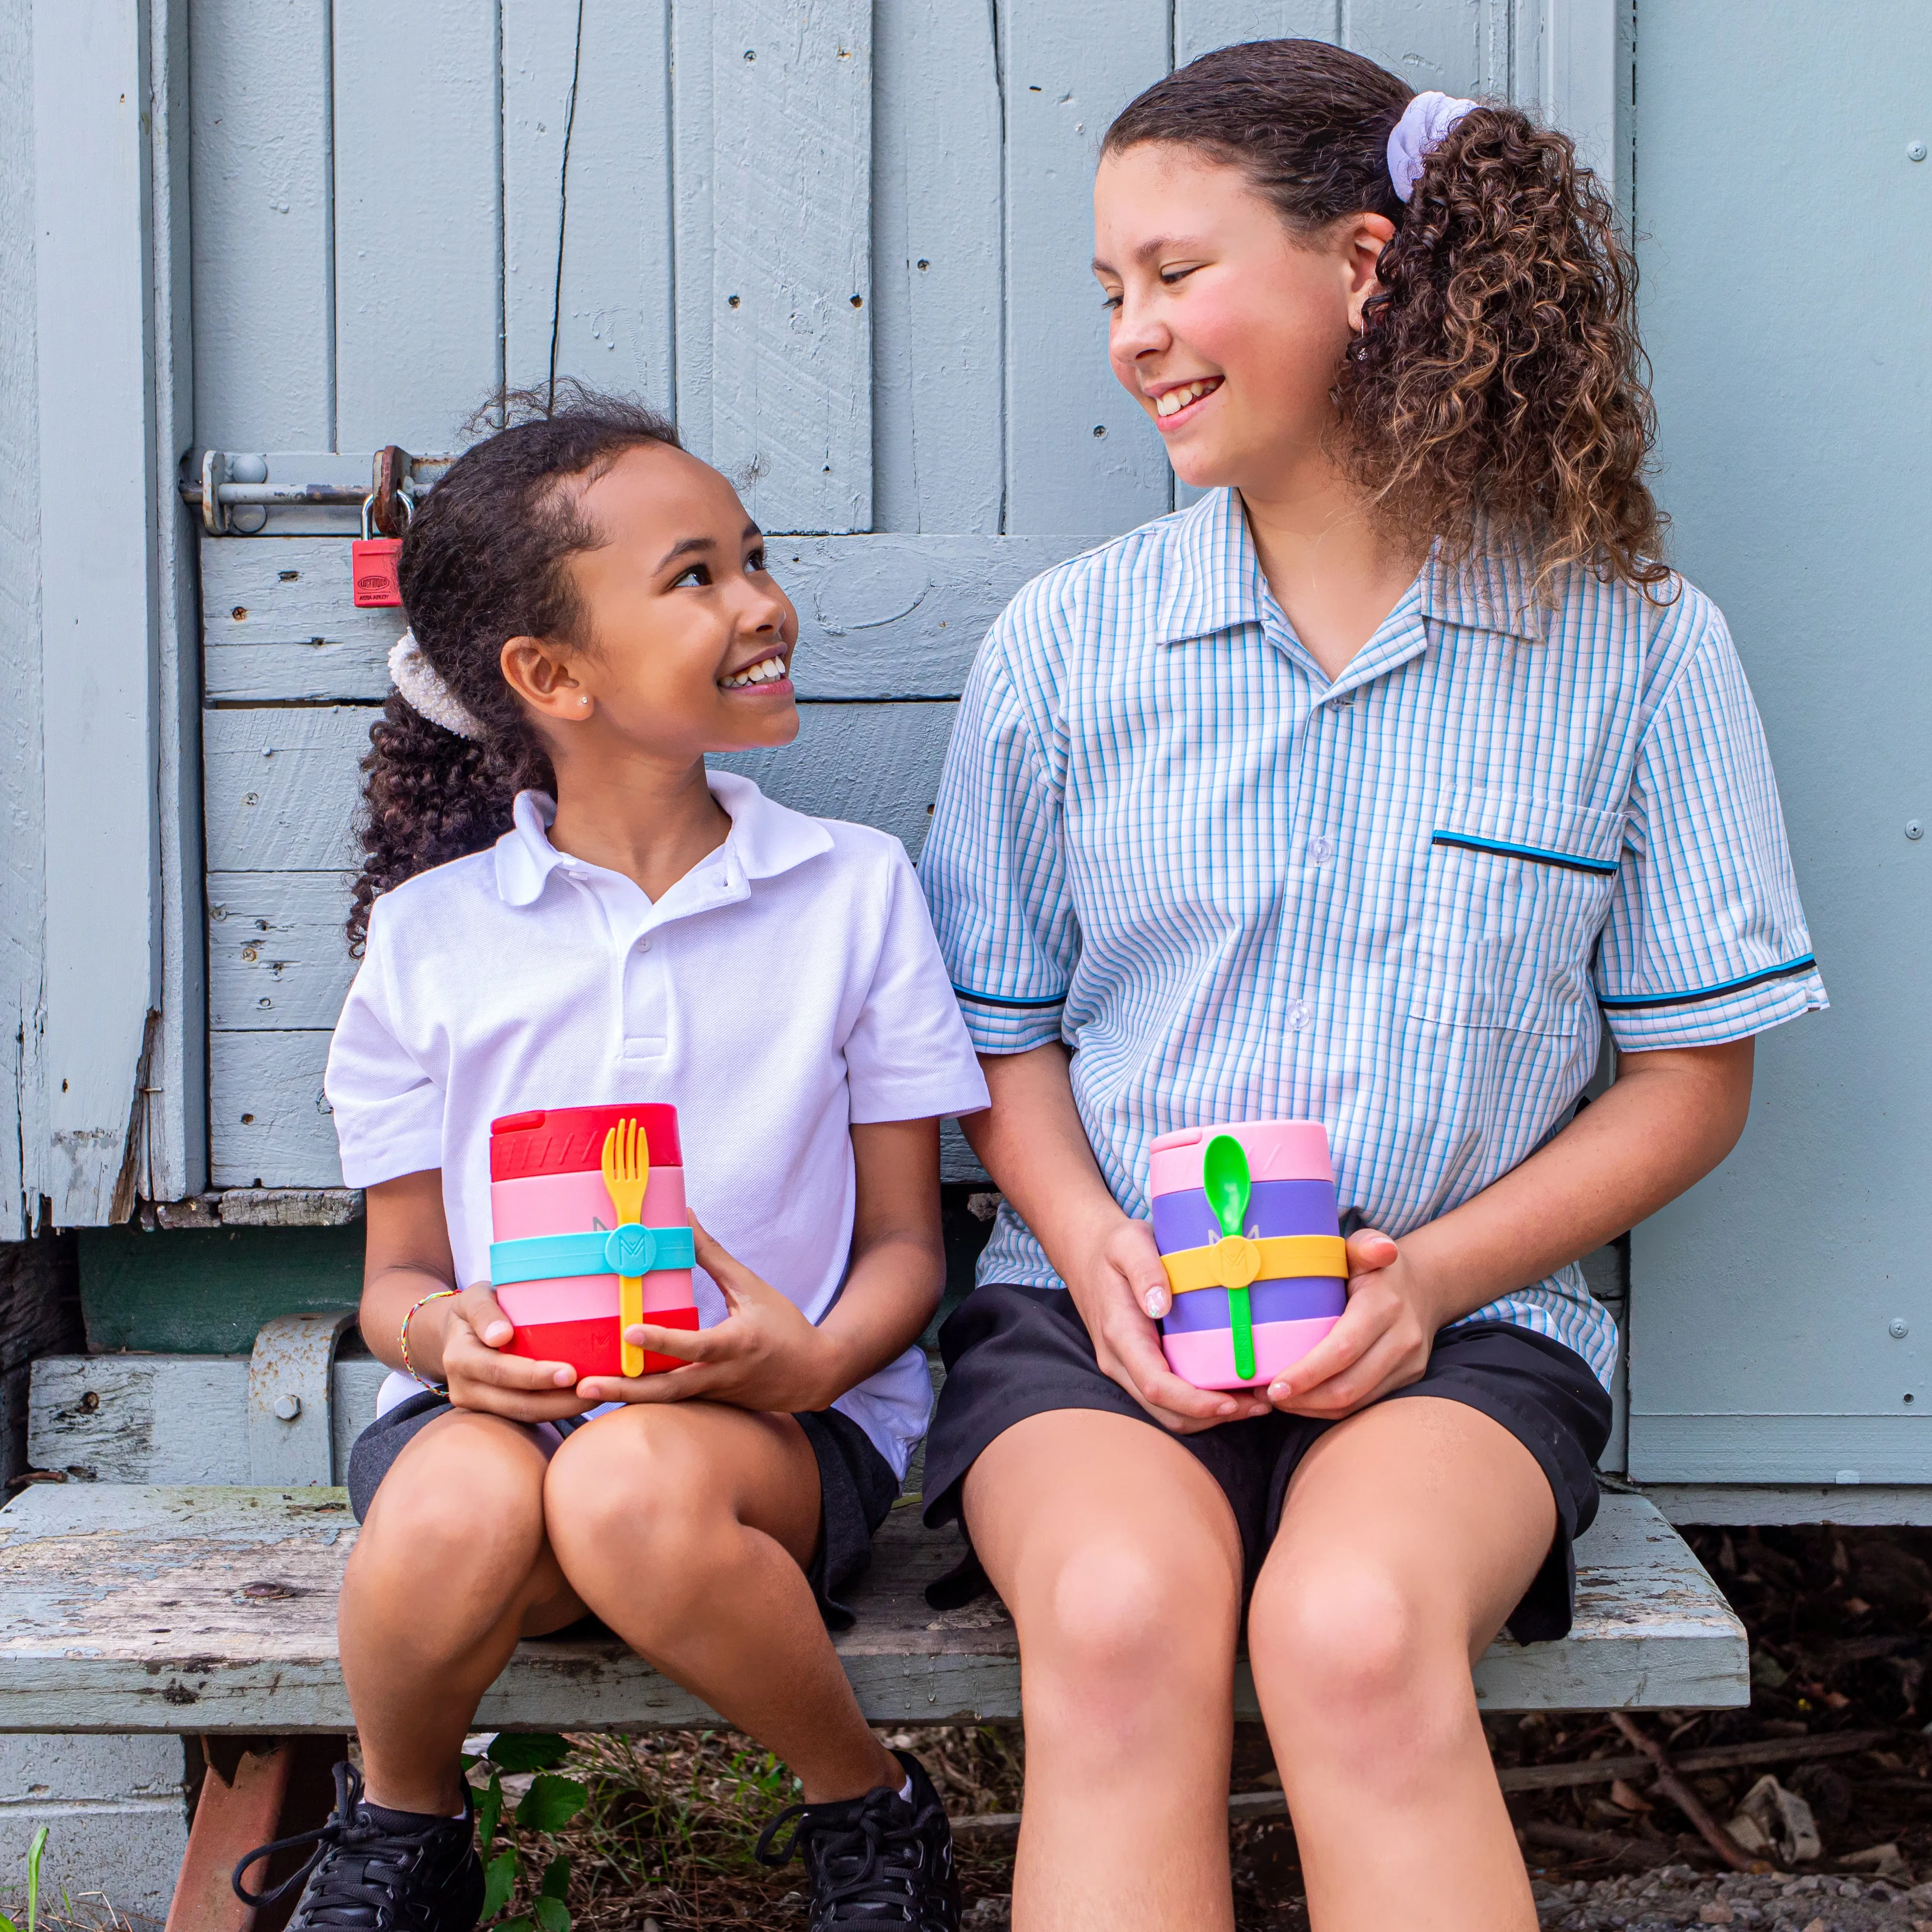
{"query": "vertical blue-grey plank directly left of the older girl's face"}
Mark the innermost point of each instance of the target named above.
(1081, 455)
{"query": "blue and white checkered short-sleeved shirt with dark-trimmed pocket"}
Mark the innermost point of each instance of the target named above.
(1402, 903)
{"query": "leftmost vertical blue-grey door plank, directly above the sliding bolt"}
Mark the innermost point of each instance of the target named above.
(264, 227)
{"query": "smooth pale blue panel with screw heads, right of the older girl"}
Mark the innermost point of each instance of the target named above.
(1782, 1324)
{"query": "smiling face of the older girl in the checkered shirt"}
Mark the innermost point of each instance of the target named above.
(1226, 326)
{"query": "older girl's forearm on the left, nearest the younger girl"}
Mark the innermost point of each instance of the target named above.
(1033, 1145)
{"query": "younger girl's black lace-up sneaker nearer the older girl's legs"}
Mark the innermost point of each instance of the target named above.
(876, 1861)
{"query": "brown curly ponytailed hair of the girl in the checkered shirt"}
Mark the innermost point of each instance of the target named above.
(1498, 382)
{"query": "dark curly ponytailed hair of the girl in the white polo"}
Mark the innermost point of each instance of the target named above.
(486, 559)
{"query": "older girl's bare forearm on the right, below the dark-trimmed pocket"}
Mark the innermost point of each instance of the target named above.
(1668, 1122)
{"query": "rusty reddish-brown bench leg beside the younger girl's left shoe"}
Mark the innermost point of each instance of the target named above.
(256, 1790)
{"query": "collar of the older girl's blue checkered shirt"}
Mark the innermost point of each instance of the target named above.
(1220, 584)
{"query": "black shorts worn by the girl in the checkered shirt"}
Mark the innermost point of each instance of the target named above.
(1015, 1353)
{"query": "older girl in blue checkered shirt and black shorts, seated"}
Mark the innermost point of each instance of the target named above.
(1367, 789)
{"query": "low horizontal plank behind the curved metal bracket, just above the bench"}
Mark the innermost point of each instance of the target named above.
(169, 1419)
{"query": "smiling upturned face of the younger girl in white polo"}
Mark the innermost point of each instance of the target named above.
(687, 642)
